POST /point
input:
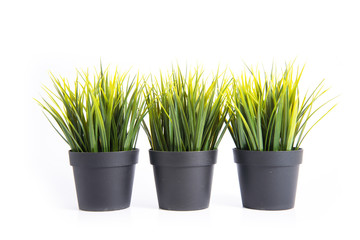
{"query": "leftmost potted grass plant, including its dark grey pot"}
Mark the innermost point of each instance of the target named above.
(100, 120)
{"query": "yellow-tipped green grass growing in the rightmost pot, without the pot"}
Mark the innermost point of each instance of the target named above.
(269, 114)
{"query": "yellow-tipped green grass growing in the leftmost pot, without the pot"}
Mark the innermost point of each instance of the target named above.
(99, 115)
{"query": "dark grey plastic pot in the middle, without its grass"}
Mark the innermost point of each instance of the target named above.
(183, 179)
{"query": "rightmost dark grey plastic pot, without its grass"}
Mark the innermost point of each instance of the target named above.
(268, 179)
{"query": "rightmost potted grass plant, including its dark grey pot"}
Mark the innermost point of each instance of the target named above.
(268, 122)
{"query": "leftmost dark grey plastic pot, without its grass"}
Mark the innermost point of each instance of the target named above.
(104, 180)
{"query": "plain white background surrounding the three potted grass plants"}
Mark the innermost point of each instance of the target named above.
(38, 199)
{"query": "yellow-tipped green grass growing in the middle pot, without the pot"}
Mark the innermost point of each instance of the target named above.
(184, 113)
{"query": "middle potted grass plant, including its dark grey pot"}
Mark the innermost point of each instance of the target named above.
(186, 125)
